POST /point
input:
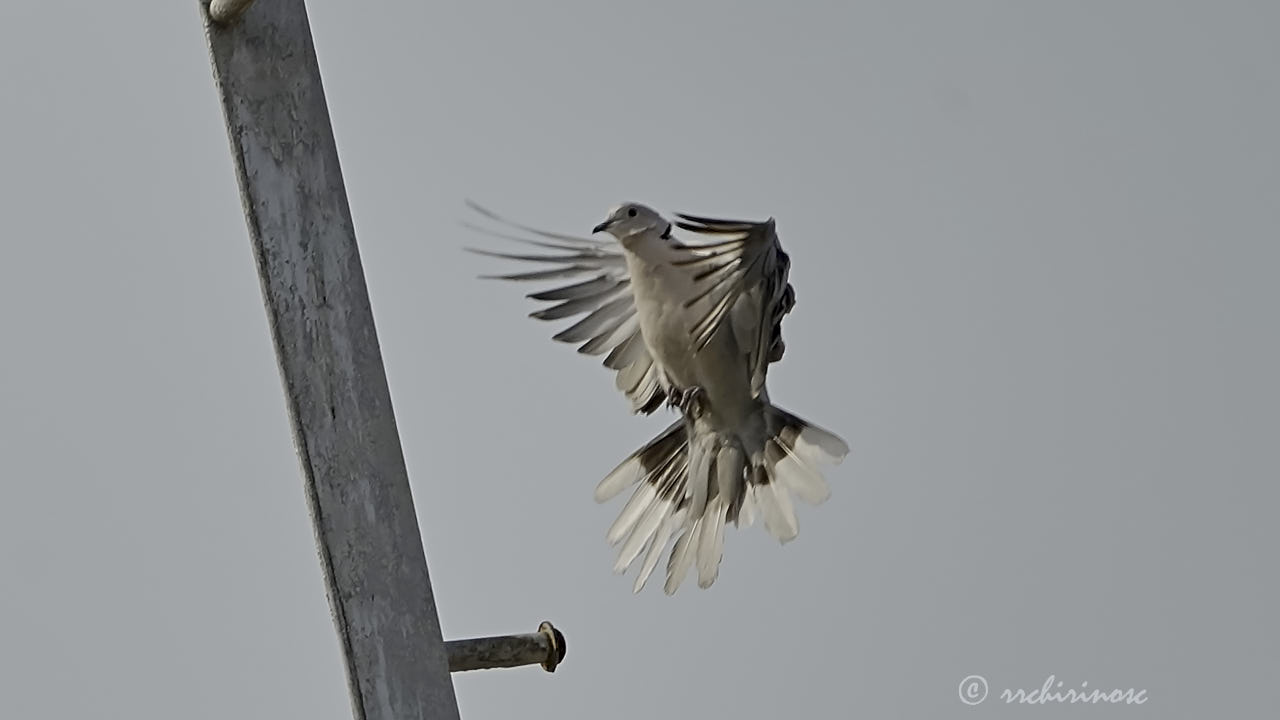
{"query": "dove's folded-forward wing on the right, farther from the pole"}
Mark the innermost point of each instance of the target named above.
(742, 275)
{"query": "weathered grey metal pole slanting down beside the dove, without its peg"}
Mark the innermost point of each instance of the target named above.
(335, 384)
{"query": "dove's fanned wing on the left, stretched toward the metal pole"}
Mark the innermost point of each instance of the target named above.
(602, 291)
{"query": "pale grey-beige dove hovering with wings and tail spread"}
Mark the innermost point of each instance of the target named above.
(691, 323)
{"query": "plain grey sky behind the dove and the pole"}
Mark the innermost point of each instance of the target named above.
(1035, 252)
